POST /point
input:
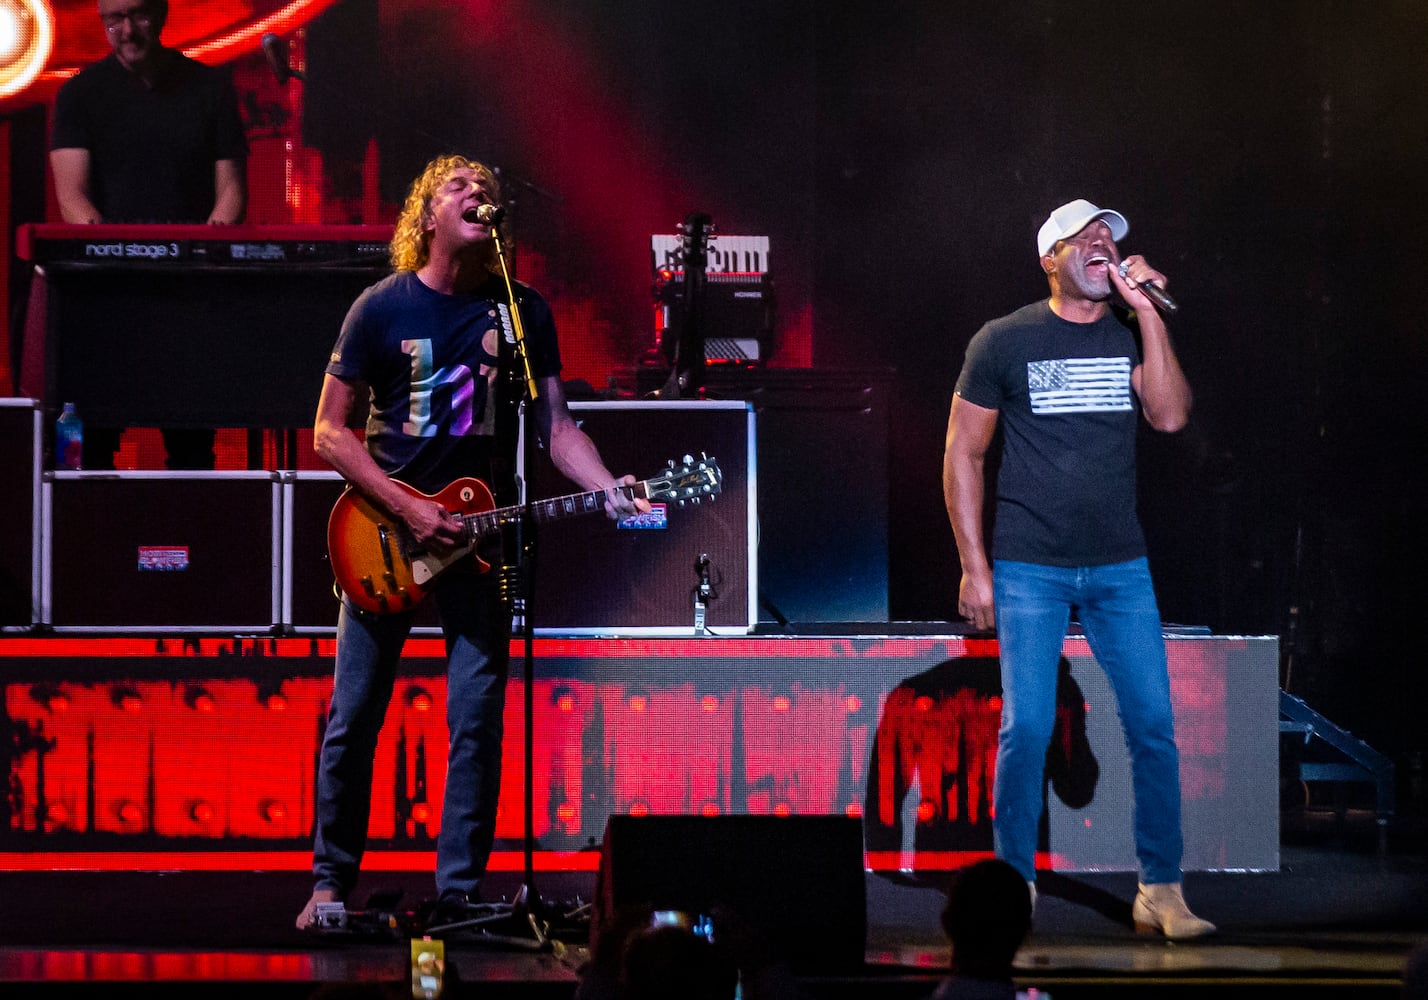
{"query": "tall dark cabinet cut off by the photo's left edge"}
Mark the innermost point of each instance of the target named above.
(21, 462)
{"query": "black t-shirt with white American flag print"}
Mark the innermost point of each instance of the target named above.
(1066, 486)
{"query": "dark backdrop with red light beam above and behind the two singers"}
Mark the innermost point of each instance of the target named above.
(902, 156)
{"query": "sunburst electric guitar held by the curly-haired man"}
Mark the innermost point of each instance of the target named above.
(383, 571)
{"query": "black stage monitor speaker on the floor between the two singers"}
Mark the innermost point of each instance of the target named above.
(796, 882)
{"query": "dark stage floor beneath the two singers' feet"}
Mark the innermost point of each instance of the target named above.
(1332, 922)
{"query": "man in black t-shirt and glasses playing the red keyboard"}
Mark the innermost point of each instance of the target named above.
(148, 135)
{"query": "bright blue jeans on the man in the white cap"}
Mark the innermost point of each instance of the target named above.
(1122, 621)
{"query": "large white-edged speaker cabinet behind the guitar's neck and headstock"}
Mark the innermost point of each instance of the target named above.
(593, 578)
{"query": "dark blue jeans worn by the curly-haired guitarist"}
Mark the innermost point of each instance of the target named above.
(369, 648)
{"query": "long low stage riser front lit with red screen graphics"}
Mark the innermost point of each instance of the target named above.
(193, 748)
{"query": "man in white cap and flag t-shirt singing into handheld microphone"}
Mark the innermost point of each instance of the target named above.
(1066, 381)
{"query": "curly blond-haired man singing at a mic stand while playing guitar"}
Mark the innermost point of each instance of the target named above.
(429, 355)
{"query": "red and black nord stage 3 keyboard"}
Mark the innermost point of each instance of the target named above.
(212, 246)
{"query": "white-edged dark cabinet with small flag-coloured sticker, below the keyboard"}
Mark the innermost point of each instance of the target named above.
(135, 552)
